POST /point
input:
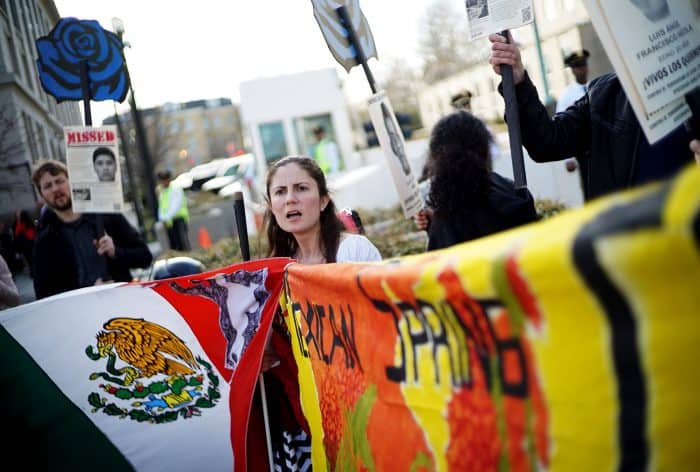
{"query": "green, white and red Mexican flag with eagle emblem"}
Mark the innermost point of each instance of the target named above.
(149, 376)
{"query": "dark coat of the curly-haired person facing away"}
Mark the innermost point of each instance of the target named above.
(506, 208)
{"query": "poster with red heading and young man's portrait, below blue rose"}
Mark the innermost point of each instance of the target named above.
(92, 157)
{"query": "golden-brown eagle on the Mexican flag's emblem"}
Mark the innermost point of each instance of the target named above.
(148, 348)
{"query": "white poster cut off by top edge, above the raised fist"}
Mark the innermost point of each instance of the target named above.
(492, 16)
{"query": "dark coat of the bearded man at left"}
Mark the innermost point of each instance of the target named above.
(54, 260)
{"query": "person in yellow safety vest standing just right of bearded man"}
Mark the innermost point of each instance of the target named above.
(172, 212)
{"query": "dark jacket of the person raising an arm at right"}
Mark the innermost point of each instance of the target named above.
(600, 129)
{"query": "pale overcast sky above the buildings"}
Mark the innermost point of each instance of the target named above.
(188, 50)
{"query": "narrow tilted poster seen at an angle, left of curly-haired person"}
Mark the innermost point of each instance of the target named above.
(391, 141)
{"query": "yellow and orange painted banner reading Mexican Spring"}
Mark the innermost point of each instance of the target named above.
(571, 344)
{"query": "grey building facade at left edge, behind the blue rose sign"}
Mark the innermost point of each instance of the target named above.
(31, 122)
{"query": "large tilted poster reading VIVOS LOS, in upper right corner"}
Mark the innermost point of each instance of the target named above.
(657, 98)
